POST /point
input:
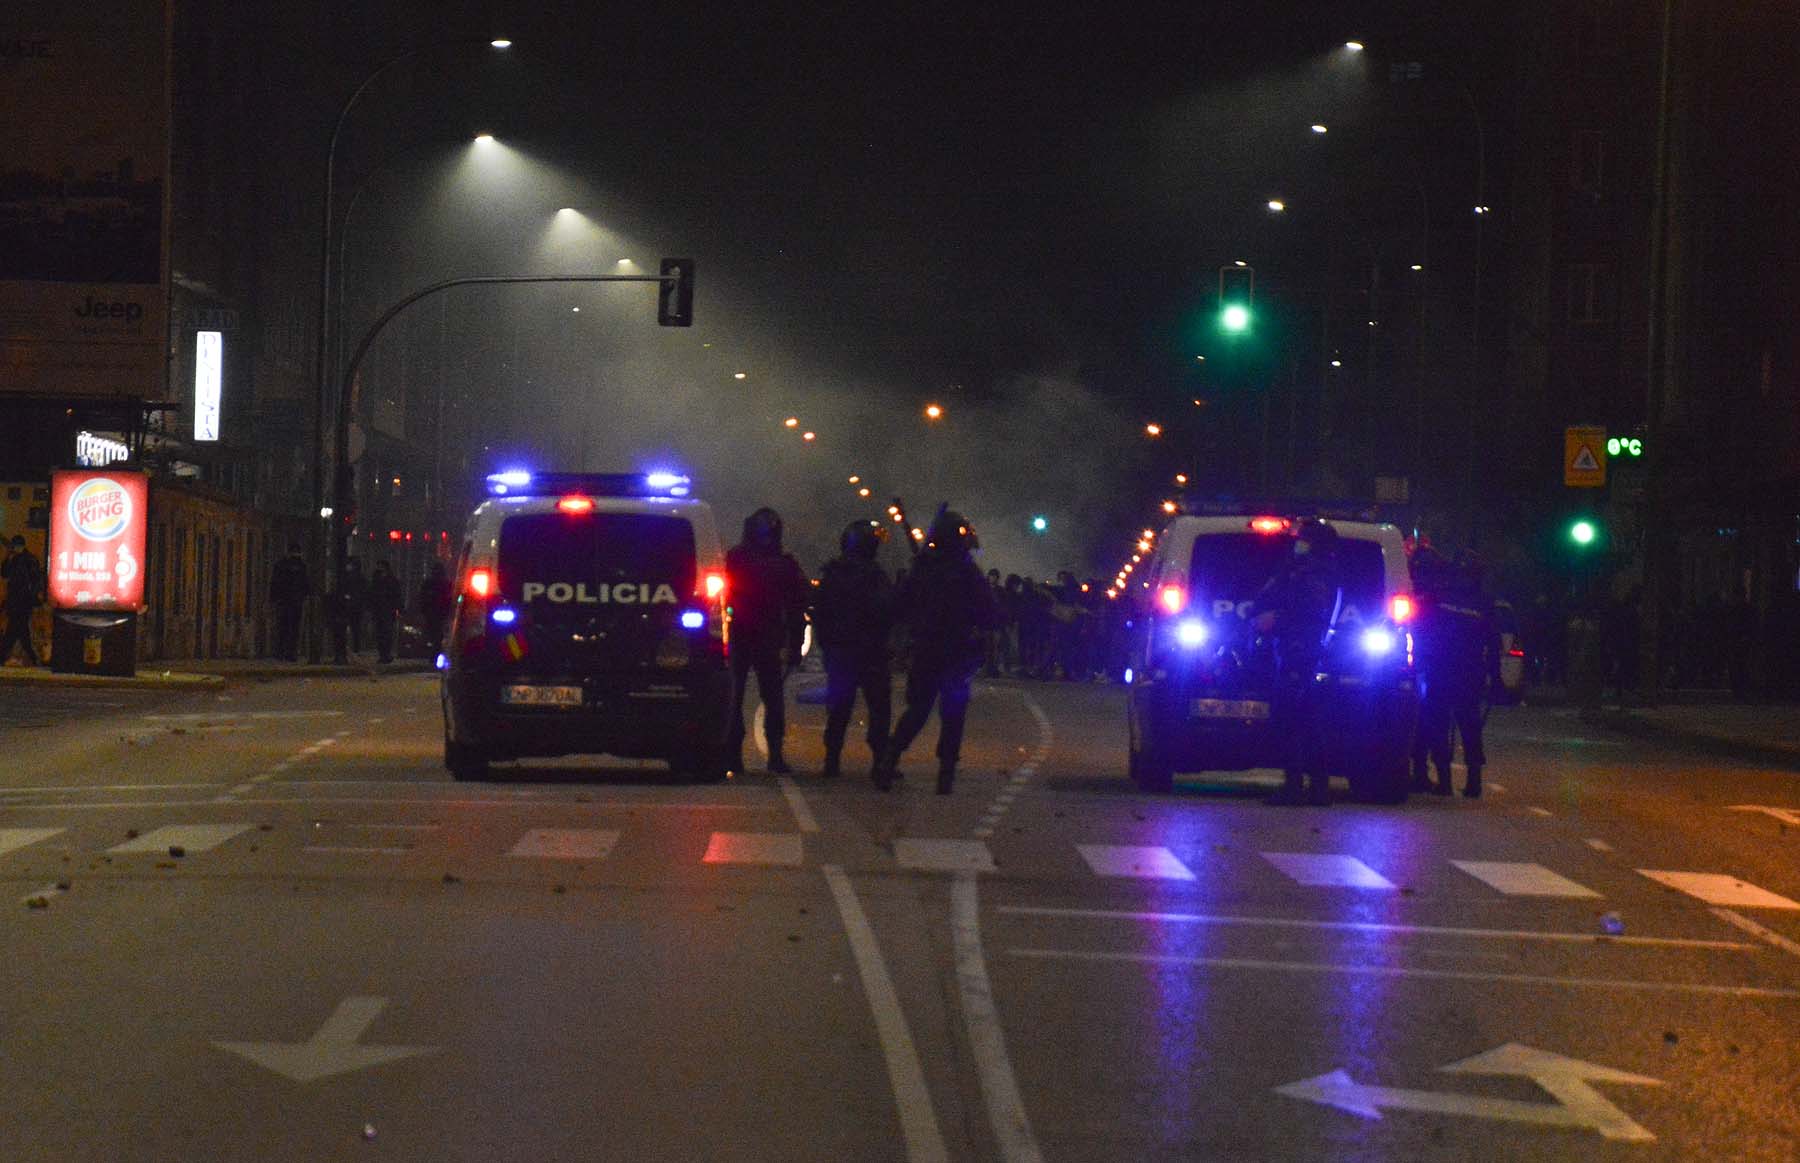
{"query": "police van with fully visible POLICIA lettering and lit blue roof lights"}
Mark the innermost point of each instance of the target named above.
(589, 620)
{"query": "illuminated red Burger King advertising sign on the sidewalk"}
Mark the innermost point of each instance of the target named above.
(98, 523)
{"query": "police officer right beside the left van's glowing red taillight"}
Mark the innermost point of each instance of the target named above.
(768, 627)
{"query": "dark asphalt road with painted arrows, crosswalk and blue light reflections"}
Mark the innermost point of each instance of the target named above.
(262, 924)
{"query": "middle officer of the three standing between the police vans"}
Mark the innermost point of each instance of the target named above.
(852, 617)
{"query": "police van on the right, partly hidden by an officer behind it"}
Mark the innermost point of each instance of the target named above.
(1203, 683)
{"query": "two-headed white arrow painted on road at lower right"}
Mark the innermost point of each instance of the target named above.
(1576, 1106)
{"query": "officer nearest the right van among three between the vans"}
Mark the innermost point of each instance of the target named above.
(948, 609)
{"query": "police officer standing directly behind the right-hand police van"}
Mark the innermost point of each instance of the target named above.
(1295, 611)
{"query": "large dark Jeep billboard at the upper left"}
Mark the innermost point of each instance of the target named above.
(84, 199)
